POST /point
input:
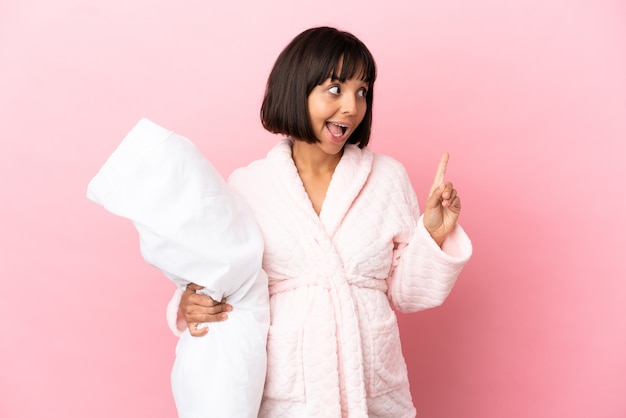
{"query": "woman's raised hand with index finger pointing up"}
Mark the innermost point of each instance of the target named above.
(443, 205)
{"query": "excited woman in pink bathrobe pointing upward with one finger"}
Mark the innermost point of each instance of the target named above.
(343, 238)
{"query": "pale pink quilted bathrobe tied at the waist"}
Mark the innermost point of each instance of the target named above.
(333, 345)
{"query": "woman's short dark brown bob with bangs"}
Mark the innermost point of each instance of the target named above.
(311, 58)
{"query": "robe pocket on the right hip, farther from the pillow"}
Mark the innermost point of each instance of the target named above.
(385, 368)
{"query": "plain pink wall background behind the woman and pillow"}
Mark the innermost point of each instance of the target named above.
(528, 96)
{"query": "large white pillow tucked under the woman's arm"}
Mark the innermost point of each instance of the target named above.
(194, 228)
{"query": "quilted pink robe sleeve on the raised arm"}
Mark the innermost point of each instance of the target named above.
(423, 274)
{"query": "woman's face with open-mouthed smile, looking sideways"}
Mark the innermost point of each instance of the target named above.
(336, 109)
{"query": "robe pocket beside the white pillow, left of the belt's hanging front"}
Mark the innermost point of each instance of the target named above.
(285, 371)
